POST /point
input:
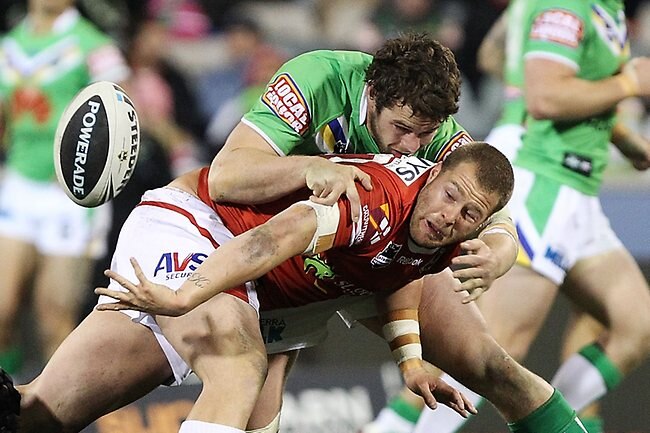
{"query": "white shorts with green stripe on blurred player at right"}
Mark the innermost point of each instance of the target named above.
(557, 225)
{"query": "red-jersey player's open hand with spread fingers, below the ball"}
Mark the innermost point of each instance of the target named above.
(145, 296)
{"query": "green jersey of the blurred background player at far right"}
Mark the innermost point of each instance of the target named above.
(591, 37)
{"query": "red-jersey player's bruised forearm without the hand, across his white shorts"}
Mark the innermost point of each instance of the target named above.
(249, 256)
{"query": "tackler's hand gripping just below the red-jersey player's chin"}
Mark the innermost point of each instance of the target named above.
(476, 269)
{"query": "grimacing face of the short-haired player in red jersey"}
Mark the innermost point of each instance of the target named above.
(450, 207)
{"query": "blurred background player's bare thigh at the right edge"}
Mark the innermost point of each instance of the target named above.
(612, 288)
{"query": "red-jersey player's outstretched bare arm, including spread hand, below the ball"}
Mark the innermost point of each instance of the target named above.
(244, 258)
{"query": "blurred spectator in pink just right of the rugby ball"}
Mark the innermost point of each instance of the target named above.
(166, 107)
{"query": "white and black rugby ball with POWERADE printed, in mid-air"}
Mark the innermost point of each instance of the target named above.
(96, 144)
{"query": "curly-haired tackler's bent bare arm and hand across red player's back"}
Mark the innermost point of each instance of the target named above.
(248, 170)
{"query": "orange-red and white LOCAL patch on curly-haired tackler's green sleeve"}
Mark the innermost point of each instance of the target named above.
(284, 98)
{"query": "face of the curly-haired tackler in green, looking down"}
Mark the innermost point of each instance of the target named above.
(397, 131)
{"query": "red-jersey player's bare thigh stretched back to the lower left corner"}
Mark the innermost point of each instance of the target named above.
(107, 362)
